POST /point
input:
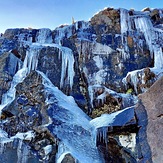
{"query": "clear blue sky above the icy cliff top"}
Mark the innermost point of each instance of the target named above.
(52, 13)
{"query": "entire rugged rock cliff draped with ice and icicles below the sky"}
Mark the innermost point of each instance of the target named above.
(101, 66)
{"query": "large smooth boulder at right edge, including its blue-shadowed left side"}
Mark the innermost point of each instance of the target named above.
(151, 123)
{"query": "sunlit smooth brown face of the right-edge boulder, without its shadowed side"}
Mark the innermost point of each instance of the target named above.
(152, 101)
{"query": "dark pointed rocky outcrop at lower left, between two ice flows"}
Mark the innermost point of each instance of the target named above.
(28, 113)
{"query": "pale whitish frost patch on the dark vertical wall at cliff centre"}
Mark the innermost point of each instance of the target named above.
(99, 52)
